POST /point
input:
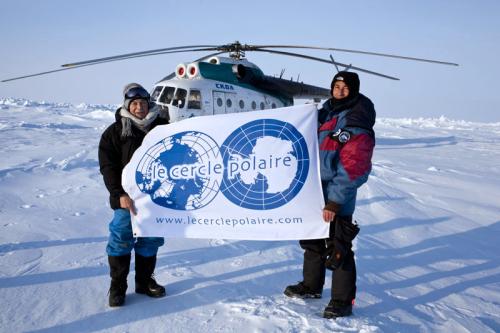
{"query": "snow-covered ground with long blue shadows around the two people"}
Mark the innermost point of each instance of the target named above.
(428, 251)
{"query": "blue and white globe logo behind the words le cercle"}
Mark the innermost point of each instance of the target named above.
(182, 171)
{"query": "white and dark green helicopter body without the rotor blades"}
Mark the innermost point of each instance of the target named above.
(215, 87)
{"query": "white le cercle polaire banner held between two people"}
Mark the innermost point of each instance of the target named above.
(251, 175)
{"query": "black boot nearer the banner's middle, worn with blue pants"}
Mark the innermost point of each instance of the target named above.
(144, 281)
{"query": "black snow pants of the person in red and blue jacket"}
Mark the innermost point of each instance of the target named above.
(334, 253)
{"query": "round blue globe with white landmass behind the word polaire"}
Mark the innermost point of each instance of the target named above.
(266, 163)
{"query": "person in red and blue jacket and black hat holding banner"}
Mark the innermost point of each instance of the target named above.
(346, 143)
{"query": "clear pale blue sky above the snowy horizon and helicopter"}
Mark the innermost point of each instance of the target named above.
(37, 36)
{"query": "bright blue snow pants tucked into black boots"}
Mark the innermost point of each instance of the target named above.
(121, 240)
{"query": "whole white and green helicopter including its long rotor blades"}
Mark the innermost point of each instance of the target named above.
(214, 84)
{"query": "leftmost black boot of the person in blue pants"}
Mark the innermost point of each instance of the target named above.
(118, 270)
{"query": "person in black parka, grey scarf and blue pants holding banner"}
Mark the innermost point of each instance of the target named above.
(134, 119)
